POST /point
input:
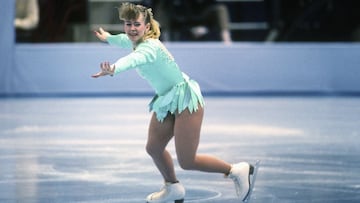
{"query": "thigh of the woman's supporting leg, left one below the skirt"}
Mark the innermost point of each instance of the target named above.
(160, 133)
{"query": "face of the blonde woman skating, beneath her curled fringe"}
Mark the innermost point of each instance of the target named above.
(136, 29)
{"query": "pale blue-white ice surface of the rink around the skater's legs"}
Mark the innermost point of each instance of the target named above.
(93, 149)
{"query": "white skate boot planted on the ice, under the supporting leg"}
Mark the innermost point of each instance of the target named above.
(169, 193)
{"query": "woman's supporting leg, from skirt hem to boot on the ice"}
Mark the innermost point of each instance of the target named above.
(159, 136)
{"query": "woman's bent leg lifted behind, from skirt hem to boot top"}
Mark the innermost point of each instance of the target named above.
(187, 135)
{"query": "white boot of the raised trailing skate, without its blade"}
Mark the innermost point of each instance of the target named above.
(240, 174)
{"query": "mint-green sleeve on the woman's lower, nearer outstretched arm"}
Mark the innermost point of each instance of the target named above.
(145, 54)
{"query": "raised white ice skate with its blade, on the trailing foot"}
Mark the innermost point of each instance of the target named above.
(243, 174)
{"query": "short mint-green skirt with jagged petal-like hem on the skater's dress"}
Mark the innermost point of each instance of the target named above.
(186, 94)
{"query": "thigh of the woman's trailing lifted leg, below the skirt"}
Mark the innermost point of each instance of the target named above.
(187, 133)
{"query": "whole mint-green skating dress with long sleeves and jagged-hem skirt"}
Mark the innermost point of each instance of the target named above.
(175, 91)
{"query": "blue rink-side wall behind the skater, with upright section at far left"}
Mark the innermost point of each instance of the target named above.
(39, 69)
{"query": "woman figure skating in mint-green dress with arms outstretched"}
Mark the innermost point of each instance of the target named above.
(178, 105)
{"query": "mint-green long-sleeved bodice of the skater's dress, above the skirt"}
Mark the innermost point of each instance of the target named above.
(152, 61)
